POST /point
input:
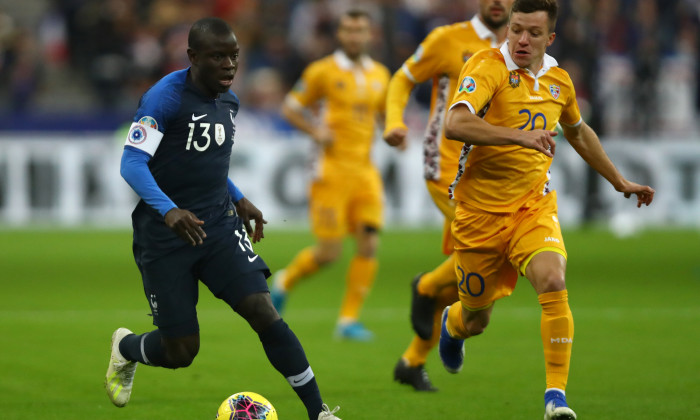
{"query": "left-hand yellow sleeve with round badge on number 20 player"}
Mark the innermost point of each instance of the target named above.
(479, 79)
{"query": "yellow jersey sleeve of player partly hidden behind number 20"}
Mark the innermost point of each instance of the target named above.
(427, 61)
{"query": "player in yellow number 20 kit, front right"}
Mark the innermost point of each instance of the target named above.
(506, 218)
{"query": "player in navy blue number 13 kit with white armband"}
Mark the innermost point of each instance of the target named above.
(192, 223)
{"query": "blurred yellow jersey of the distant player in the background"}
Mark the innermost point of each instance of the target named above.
(352, 96)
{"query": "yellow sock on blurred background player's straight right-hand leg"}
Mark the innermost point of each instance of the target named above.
(359, 281)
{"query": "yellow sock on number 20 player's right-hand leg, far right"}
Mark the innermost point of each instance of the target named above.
(557, 327)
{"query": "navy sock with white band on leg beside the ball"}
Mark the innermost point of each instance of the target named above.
(286, 354)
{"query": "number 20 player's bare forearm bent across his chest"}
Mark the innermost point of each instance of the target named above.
(462, 125)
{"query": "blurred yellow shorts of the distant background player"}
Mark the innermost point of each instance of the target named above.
(339, 203)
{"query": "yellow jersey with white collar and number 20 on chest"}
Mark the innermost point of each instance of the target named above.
(503, 178)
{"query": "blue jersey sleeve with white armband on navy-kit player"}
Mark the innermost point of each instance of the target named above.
(156, 107)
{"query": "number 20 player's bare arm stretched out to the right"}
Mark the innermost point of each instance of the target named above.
(587, 144)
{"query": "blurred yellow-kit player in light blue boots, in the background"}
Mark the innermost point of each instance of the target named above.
(347, 194)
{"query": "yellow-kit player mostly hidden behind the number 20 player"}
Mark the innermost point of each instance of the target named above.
(439, 58)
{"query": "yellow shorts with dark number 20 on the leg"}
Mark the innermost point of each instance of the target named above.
(492, 249)
